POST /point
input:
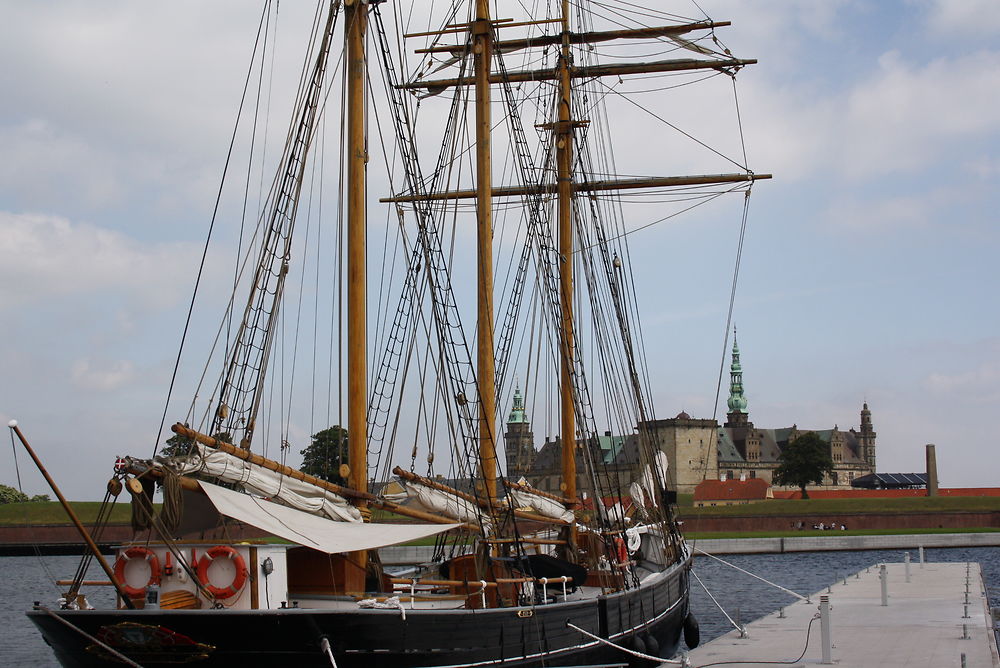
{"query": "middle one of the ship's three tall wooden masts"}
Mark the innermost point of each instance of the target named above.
(485, 370)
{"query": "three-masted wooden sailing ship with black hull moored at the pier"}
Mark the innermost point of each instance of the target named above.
(524, 576)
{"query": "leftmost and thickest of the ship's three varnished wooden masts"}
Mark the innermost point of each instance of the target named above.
(356, 17)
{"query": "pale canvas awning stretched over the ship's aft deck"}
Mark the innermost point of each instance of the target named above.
(312, 531)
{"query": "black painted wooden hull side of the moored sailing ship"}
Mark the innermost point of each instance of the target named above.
(649, 618)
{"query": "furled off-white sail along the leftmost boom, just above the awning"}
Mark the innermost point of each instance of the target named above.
(258, 480)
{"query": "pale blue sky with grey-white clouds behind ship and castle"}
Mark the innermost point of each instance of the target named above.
(868, 270)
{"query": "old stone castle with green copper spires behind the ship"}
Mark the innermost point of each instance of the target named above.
(698, 449)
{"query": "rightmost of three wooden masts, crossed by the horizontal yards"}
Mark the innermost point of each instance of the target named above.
(564, 164)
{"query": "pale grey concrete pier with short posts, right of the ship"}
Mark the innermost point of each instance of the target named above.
(926, 622)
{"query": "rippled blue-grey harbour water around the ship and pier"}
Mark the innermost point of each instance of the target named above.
(27, 579)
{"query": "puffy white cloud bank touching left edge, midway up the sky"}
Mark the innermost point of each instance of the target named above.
(47, 257)
